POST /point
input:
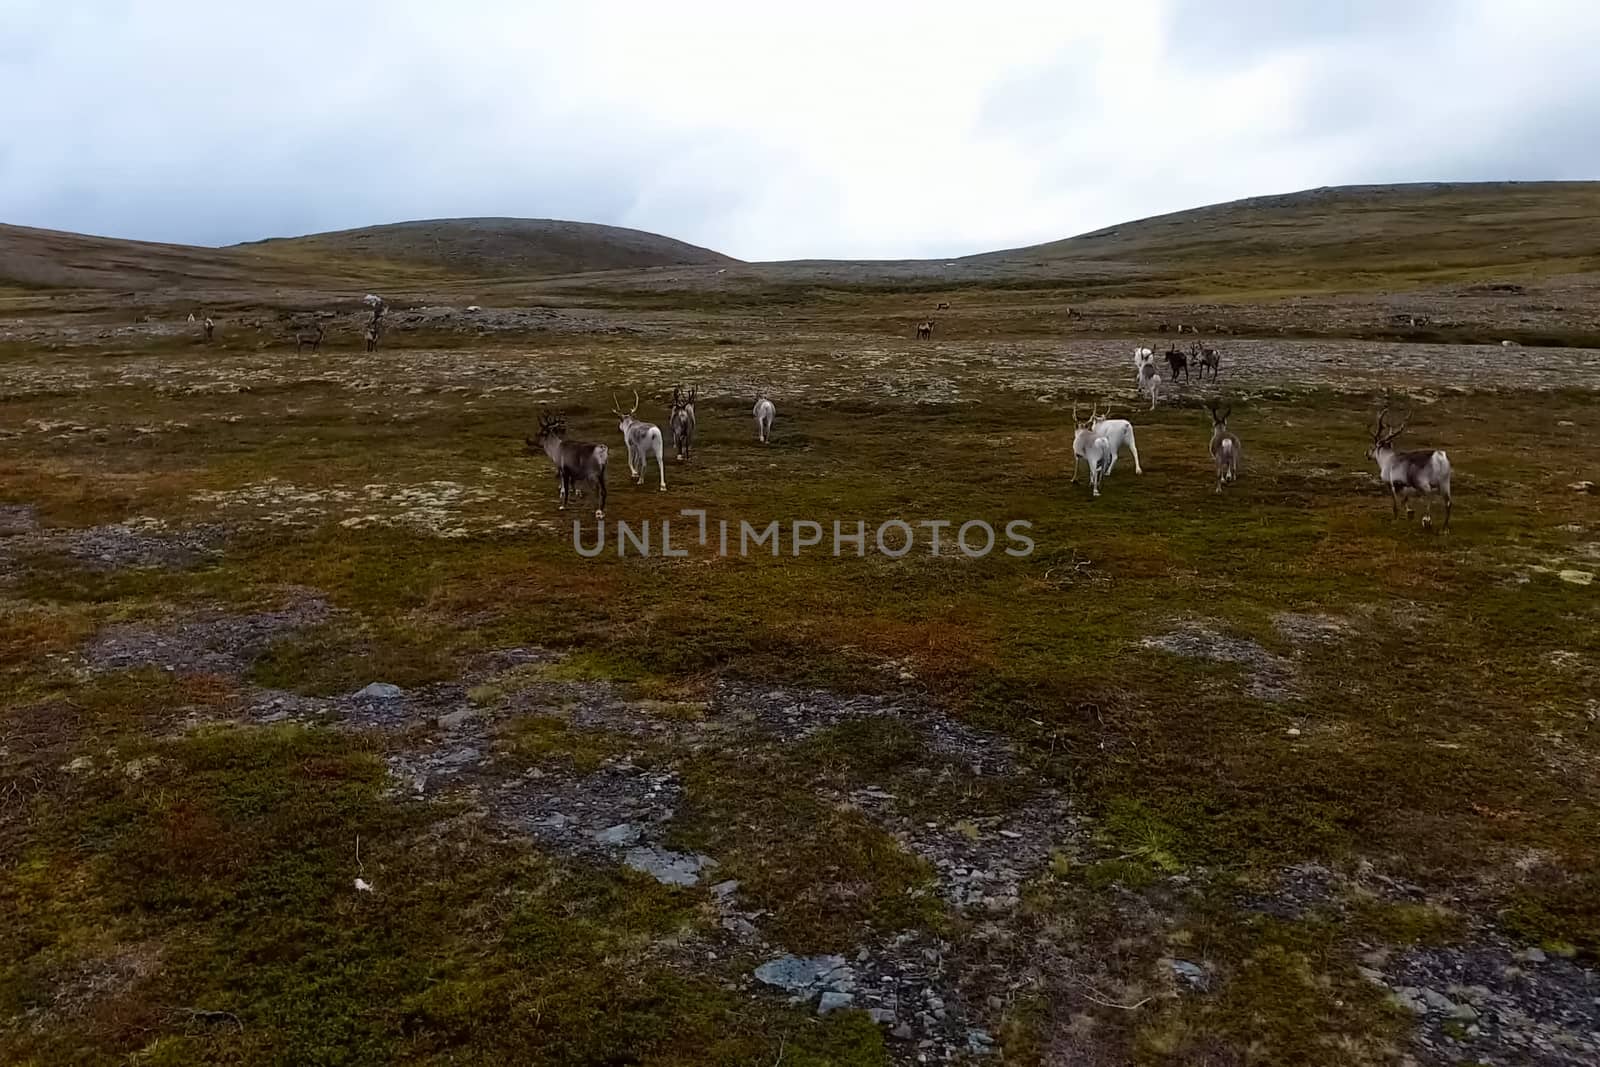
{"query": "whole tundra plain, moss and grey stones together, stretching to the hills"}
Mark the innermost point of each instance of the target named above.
(321, 745)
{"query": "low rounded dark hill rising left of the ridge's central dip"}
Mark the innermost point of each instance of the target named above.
(500, 247)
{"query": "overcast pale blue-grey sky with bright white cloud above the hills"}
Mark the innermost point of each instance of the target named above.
(769, 132)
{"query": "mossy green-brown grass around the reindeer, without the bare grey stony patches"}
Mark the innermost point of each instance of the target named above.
(1423, 705)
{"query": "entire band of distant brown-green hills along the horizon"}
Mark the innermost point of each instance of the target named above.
(1367, 236)
